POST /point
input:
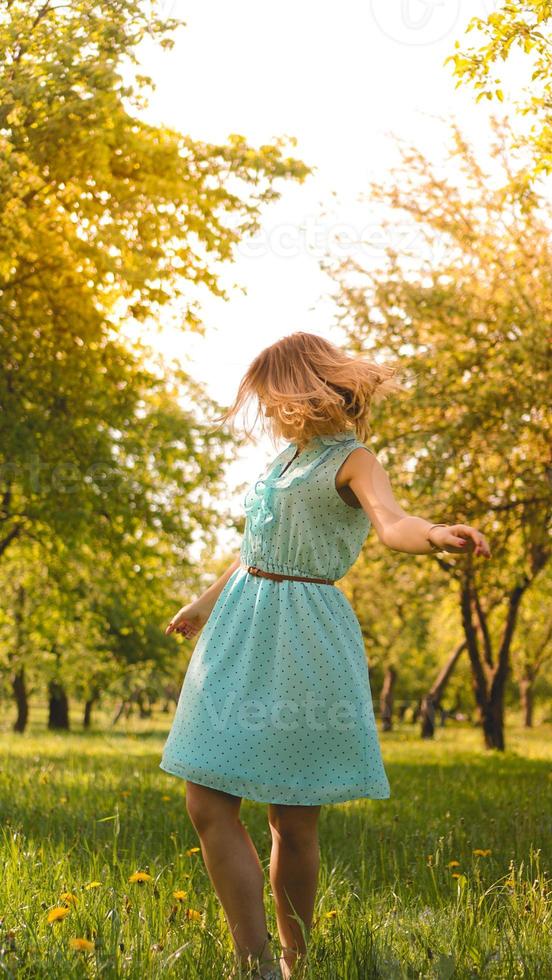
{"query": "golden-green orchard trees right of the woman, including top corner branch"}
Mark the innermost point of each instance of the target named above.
(467, 311)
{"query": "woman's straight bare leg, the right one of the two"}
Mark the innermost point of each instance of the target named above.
(294, 864)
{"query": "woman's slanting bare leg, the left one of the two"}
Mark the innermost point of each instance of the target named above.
(233, 866)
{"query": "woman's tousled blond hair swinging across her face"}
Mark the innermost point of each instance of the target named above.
(306, 386)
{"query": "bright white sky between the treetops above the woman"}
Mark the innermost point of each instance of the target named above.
(341, 78)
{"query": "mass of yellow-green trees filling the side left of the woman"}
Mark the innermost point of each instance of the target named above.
(109, 467)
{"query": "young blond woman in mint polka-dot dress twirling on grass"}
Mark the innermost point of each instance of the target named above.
(276, 703)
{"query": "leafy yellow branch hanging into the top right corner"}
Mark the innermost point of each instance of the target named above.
(522, 26)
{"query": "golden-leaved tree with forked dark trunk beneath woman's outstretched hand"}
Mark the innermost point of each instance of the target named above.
(466, 311)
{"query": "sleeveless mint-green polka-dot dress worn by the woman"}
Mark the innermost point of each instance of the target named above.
(276, 703)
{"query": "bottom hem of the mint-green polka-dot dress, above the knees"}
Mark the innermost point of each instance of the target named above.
(243, 788)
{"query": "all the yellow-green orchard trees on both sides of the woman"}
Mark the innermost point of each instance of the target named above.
(110, 467)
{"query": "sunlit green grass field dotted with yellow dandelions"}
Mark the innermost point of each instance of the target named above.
(403, 890)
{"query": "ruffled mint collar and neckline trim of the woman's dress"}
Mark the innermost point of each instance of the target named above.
(258, 500)
